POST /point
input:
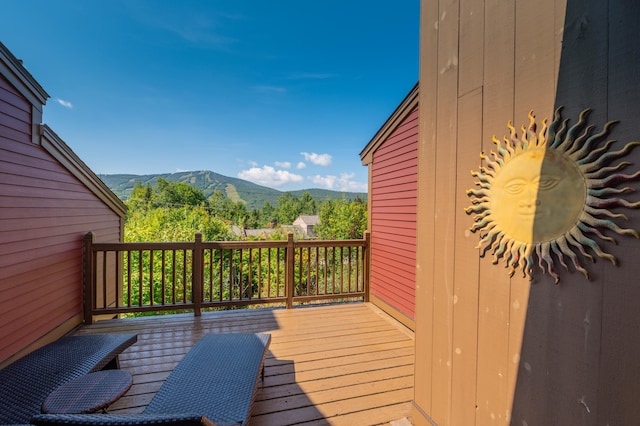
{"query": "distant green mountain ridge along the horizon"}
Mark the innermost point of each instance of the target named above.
(254, 196)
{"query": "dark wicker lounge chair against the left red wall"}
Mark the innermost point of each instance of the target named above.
(26, 383)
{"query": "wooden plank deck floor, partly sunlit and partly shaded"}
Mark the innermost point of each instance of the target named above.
(342, 364)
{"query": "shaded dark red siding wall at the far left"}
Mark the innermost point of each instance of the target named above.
(44, 213)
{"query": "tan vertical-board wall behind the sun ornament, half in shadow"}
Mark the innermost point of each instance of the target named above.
(491, 349)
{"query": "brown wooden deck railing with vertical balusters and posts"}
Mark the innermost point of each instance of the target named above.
(150, 277)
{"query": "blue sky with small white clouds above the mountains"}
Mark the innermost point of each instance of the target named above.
(281, 93)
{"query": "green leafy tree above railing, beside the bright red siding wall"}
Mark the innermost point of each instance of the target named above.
(342, 219)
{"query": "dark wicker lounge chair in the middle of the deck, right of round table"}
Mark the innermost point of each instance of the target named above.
(216, 382)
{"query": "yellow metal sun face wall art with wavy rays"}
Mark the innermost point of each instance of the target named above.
(547, 195)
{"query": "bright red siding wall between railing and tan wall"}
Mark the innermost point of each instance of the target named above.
(394, 181)
